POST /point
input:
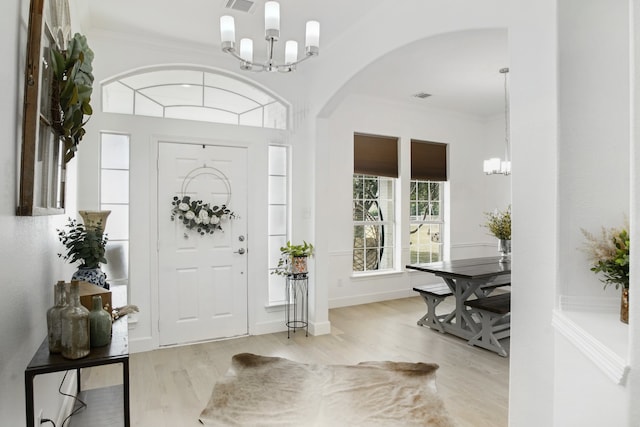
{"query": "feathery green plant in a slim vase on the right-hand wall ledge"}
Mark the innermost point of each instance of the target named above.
(609, 253)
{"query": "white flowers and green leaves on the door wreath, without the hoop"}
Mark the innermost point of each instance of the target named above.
(202, 217)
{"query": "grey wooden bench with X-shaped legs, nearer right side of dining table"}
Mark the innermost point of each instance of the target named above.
(494, 313)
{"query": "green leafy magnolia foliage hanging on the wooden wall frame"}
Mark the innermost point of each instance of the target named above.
(71, 92)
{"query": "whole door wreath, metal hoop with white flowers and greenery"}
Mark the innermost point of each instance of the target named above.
(197, 215)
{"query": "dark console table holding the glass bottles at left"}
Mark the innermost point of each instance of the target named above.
(44, 362)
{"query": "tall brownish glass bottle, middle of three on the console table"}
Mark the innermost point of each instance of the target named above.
(75, 326)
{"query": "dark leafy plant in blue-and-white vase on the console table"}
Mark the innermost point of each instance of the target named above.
(85, 245)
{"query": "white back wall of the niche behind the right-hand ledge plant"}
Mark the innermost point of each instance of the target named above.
(594, 96)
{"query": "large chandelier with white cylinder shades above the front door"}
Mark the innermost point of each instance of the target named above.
(271, 35)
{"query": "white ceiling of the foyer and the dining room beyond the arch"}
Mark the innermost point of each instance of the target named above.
(460, 70)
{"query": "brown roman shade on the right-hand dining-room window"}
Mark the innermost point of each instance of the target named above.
(428, 161)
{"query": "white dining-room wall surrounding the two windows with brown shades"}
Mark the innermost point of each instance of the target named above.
(470, 190)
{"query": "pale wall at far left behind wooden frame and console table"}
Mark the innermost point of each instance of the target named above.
(30, 266)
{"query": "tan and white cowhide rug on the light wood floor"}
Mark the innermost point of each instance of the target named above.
(273, 391)
